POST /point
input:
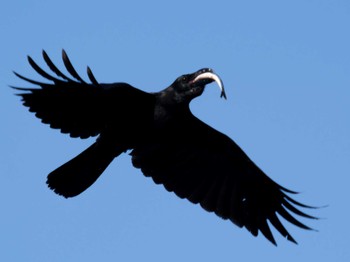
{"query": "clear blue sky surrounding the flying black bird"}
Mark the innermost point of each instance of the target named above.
(286, 68)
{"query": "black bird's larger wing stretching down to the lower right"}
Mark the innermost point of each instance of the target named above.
(207, 167)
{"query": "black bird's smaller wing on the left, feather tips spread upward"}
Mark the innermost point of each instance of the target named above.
(74, 106)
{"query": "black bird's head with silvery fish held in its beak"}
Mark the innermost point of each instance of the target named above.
(189, 86)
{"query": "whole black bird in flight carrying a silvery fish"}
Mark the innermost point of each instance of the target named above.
(167, 142)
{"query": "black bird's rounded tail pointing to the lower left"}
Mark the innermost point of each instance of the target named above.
(75, 176)
